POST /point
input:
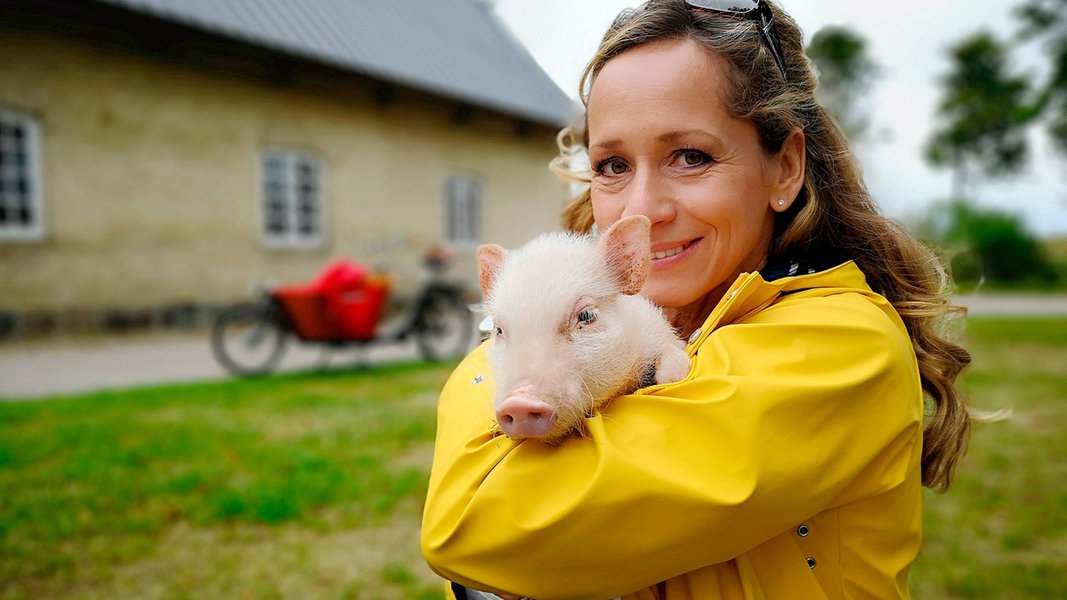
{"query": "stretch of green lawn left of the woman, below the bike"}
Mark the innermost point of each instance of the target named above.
(304, 486)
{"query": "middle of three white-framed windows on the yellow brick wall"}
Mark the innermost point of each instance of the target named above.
(293, 200)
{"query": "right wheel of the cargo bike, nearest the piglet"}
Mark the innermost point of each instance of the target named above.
(445, 329)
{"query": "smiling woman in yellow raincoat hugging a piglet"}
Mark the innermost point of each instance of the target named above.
(789, 464)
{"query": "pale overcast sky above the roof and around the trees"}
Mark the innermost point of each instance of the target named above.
(910, 42)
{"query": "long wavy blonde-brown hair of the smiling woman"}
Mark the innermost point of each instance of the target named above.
(834, 212)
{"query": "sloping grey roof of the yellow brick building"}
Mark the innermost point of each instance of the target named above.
(454, 49)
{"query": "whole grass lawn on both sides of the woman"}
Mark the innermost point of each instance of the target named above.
(311, 486)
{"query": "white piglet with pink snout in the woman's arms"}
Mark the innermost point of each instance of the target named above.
(571, 331)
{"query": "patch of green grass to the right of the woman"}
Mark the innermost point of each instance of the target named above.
(1001, 531)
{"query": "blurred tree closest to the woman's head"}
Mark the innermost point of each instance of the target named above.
(846, 74)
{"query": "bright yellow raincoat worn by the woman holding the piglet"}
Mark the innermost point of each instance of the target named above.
(786, 466)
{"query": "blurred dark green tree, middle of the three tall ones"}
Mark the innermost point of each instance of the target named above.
(984, 116)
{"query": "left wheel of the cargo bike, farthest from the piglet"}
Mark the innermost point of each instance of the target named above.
(248, 340)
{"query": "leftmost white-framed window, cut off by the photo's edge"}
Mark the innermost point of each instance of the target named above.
(22, 211)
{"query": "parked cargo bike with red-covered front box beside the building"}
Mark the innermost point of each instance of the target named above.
(342, 308)
